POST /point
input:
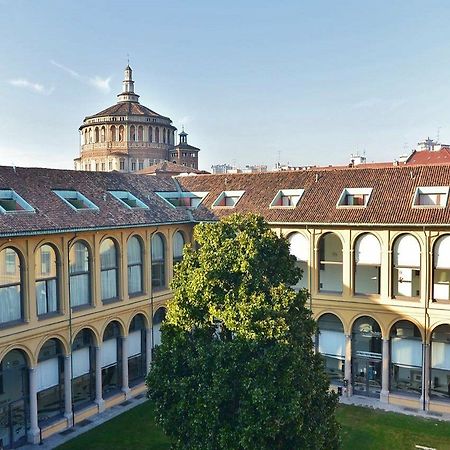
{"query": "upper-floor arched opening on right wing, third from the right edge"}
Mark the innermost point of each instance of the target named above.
(367, 265)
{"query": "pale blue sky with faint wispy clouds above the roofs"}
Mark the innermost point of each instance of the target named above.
(253, 82)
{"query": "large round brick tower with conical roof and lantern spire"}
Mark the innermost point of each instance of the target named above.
(126, 136)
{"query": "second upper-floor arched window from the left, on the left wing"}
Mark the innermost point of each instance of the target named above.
(46, 280)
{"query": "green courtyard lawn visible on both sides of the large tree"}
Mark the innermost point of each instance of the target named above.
(362, 428)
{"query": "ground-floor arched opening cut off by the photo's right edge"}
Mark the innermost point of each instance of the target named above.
(440, 363)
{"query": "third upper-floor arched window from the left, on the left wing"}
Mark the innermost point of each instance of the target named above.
(80, 275)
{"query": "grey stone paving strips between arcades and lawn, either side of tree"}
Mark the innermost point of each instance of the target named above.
(357, 400)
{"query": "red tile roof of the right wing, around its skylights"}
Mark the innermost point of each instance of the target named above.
(390, 202)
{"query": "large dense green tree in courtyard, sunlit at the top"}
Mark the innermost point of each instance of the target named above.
(236, 367)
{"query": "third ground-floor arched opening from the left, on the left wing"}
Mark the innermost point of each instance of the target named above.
(83, 368)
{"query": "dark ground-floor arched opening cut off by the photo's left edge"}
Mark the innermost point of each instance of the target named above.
(14, 400)
